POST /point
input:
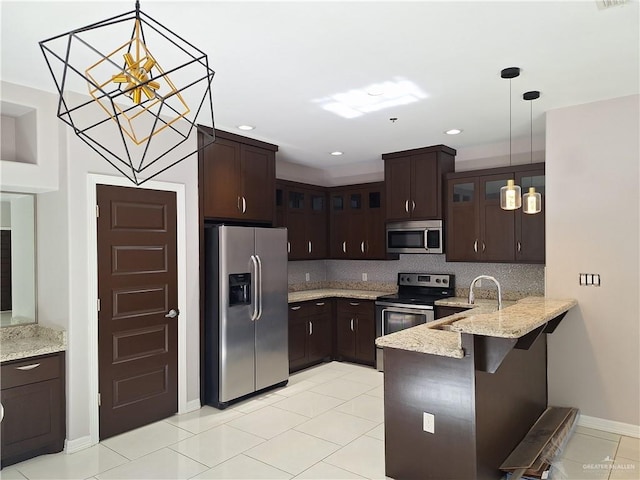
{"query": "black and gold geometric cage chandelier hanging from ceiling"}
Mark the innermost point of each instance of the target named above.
(134, 113)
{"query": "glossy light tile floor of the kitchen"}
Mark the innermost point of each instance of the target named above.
(327, 423)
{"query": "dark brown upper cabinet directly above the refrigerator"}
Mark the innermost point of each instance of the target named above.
(237, 179)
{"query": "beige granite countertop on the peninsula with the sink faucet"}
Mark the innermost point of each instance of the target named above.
(443, 337)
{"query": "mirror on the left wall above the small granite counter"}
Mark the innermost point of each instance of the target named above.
(18, 259)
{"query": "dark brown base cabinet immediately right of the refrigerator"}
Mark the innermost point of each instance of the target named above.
(310, 332)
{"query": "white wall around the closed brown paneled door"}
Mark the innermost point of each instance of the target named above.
(64, 250)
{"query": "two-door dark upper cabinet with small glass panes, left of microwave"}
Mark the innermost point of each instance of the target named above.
(357, 217)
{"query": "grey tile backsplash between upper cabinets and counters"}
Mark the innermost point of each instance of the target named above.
(521, 278)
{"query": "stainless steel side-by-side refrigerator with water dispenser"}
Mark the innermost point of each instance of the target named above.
(245, 324)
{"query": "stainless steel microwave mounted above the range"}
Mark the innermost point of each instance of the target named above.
(415, 237)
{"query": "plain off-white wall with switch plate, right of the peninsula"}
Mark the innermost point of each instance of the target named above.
(592, 173)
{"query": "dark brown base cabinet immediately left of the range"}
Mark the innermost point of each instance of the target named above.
(355, 330)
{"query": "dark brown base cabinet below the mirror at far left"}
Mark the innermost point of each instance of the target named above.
(33, 399)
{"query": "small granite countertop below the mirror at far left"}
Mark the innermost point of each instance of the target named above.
(25, 341)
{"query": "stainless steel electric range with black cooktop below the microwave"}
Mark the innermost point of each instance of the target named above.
(412, 305)
